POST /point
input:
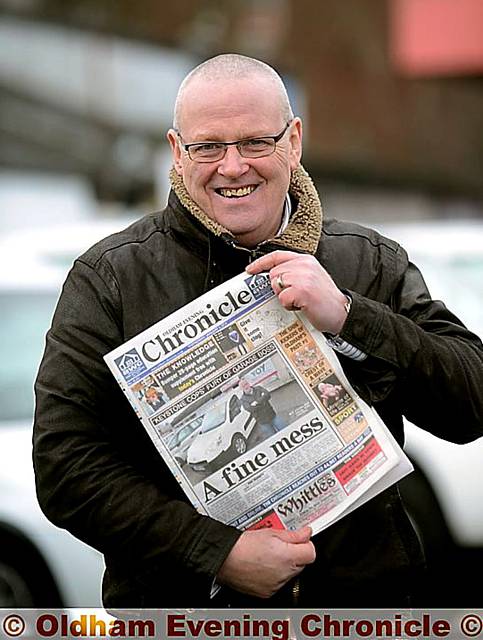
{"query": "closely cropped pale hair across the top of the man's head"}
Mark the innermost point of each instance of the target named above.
(233, 67)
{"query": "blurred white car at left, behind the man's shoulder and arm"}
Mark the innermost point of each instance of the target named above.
(40, 564)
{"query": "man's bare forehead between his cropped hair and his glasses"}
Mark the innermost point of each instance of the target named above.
(230, 109)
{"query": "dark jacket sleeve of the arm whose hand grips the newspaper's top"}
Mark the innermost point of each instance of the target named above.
(421, 358)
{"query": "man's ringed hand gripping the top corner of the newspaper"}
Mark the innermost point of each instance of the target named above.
(306, 286)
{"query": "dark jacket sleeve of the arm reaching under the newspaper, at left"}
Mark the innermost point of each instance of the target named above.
(89, 481)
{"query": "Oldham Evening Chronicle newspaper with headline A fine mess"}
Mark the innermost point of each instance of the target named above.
(252, 413)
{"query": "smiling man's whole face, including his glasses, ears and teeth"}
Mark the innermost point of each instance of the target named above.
(240, 186)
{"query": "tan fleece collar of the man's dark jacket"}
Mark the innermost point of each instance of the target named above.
(305, 226)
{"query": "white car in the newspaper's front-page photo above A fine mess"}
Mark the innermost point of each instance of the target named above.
(225, 430)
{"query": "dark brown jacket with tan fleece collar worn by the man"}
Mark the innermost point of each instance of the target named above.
(99, 476)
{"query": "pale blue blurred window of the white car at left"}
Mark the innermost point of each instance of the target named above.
(24, 320)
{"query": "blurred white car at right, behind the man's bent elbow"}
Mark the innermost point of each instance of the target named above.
(445, 493)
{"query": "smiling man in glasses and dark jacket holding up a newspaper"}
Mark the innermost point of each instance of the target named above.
(241, 200)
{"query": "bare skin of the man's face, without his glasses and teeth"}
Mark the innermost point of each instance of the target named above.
(224, 111)
